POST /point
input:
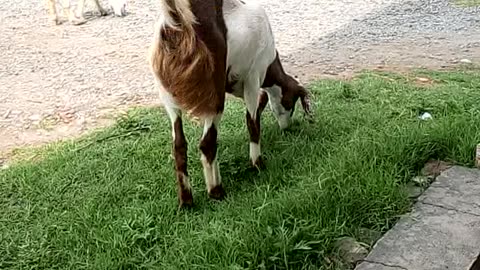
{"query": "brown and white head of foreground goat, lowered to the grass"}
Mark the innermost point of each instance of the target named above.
(282, 101)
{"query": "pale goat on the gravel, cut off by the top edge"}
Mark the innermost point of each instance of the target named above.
(118, 6)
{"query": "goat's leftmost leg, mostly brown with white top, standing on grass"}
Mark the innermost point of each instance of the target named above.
(180, 154)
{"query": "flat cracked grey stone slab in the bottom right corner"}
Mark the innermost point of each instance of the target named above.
(441, 233)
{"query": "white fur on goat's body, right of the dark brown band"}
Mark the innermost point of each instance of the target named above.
(251, 46)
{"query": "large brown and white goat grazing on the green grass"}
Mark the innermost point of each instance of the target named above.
(203, 49)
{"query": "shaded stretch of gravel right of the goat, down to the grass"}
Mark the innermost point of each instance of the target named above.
(432, 34)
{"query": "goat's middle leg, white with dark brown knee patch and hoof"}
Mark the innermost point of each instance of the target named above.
(208, 147)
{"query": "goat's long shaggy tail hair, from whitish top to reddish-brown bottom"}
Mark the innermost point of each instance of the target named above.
(182, 61)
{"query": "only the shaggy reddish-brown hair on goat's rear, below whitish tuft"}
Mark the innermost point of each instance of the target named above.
(185, 67)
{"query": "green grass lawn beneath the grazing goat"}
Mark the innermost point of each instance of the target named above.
(112, 204)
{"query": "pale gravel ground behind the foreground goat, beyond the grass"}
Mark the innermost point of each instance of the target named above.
(59, 81)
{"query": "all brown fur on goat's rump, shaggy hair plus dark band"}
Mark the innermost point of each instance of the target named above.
(189, 59)
